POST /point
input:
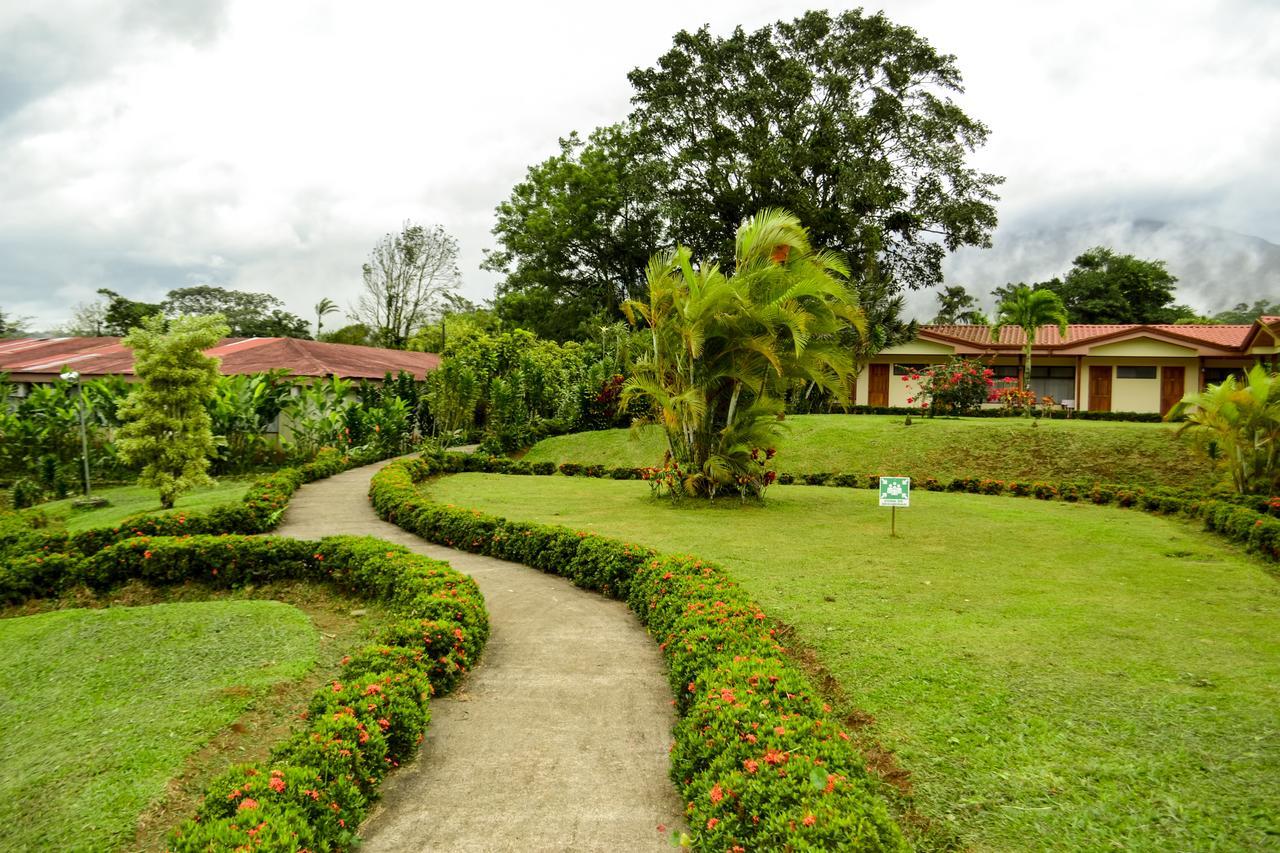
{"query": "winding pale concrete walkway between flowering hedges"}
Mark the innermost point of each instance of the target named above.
(559, 740)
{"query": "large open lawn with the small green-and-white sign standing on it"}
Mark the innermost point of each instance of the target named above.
(1055, 677)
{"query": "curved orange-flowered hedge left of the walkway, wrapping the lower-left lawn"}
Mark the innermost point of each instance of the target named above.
(318, 786)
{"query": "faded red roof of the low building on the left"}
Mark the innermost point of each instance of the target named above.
(103, 357)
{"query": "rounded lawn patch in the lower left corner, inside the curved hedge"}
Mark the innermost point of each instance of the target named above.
(100, 708)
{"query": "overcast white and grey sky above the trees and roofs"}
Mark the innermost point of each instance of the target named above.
(156, 144)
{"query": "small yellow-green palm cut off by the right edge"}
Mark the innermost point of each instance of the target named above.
(1242, 422)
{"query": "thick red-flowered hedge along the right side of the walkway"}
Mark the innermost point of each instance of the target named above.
(760, 759)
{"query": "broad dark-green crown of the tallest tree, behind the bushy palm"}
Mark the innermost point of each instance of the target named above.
(847, 121)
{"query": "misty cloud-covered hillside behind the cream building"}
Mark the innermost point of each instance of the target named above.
(1215, 268)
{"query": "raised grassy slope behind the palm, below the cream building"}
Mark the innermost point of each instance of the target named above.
(1000, 449)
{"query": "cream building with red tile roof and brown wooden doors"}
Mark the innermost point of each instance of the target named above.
(1094, 367)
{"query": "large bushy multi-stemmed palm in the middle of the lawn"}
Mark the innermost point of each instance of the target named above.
(725, 348)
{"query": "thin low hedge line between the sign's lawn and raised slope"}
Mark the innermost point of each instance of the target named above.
(1245, 519)
